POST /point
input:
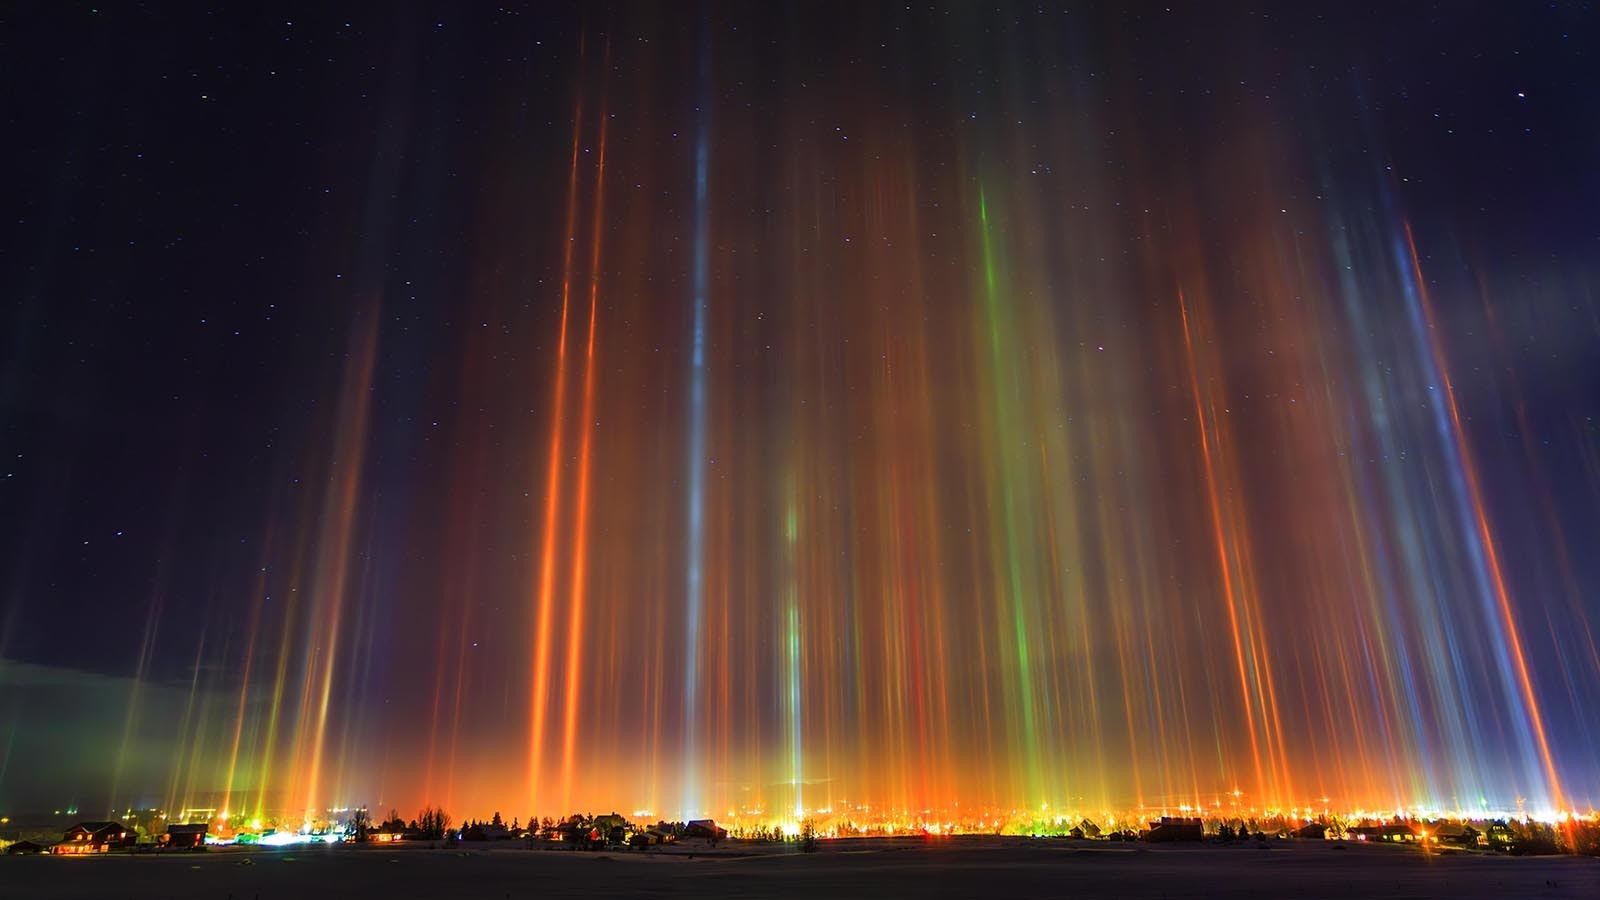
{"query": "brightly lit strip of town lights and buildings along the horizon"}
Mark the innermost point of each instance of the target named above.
(1454, 830)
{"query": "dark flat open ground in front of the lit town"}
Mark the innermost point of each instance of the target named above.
(881, 870)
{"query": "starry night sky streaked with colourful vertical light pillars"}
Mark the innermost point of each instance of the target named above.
(791, 408)
